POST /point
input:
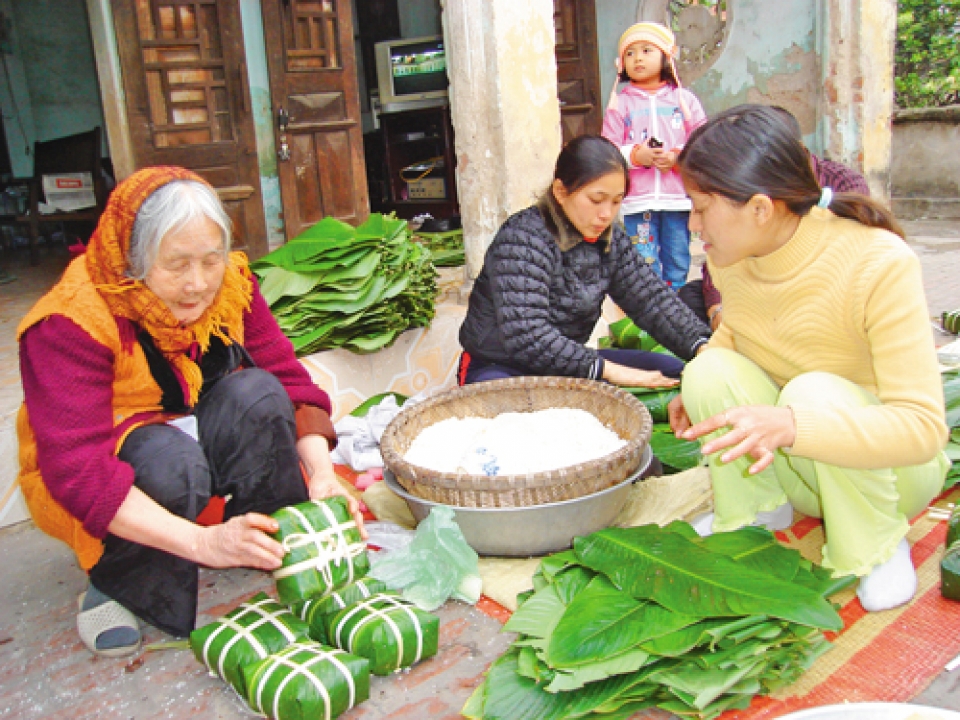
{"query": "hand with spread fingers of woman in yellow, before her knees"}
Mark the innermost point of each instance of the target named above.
(757, 431)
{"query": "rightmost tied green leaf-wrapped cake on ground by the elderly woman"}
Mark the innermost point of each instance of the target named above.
(392, 633)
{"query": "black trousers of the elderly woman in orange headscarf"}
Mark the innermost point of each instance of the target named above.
(247, 452)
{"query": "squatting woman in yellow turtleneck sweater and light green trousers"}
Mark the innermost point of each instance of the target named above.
(820, 390)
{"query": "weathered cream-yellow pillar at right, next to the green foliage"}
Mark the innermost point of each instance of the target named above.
(857, 41)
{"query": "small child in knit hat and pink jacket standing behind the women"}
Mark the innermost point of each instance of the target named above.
(650, 120)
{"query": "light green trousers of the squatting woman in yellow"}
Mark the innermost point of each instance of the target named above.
(865, 512)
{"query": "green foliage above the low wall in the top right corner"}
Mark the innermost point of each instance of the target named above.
(928, 53)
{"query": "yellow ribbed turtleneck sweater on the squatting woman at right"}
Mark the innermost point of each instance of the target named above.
(844, 299)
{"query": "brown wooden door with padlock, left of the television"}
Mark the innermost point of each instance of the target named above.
(313, 83)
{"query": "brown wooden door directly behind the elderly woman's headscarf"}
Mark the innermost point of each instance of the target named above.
(188, 103)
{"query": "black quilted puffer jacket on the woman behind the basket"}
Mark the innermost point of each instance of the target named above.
(540, 293)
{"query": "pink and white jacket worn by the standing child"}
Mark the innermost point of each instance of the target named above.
(639, 115)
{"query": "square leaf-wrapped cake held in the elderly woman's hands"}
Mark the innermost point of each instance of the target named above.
(324, 549)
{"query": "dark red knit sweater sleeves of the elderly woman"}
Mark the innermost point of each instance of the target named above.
(68, 390)
